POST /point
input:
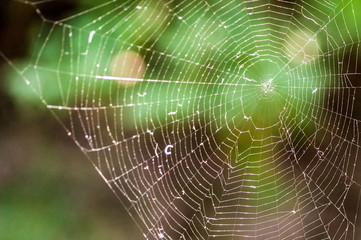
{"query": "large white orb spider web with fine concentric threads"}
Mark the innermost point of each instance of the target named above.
(213, 119)
